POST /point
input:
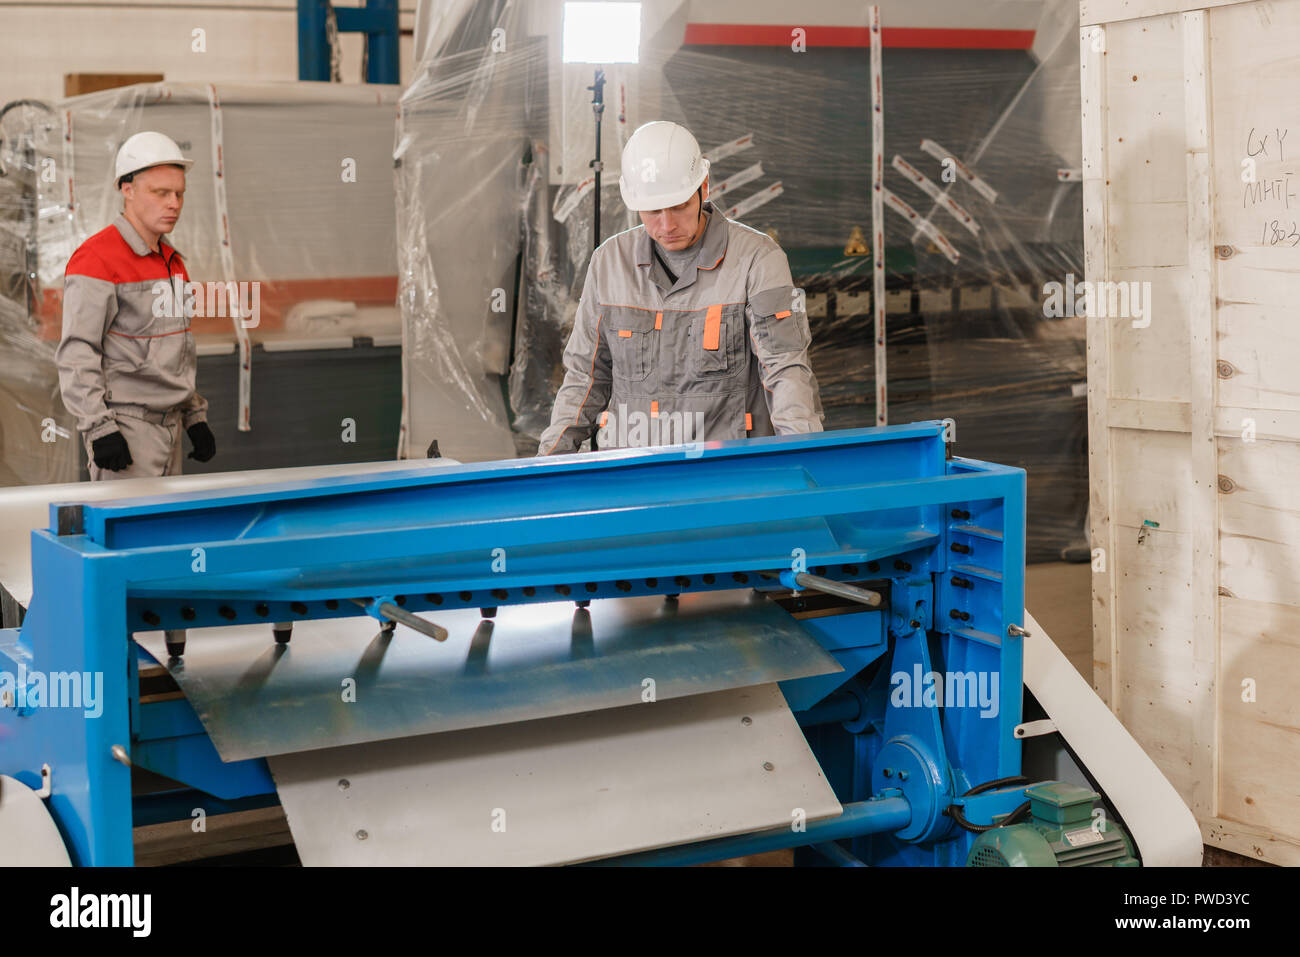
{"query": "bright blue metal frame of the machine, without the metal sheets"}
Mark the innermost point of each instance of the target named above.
(943, 538)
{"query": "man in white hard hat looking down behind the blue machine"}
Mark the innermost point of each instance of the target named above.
(690, 328)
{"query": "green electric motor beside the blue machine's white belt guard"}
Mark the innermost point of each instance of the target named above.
(1061, 833)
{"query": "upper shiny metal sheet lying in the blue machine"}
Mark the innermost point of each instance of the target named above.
(340, 683)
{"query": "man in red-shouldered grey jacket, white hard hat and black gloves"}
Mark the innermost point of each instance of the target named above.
(127, 360)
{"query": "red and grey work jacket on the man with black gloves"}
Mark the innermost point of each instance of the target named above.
(125, 347)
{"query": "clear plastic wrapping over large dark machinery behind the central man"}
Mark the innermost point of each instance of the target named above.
(791, 157)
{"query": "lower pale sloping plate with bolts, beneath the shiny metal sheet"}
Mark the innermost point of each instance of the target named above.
(560, 790)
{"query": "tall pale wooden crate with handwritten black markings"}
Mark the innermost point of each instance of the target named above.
(1195, 418)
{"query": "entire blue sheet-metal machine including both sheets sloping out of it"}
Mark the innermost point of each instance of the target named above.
(397, 660)
